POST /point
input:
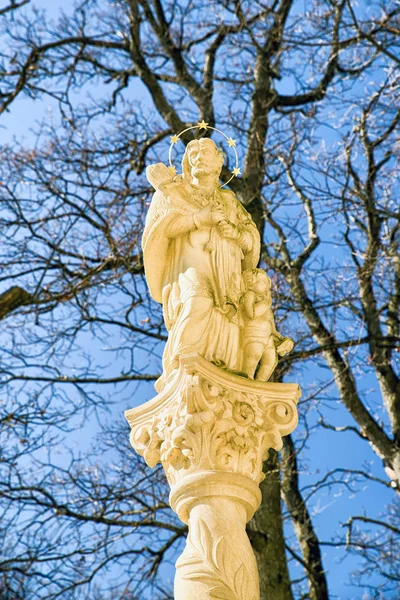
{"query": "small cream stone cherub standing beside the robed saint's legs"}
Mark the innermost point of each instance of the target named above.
(260, 342)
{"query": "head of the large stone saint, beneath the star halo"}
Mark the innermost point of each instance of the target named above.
(202, 159)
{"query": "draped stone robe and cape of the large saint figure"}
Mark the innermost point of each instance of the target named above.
(196, 275)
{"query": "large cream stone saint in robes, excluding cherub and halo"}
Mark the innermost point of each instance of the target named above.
(197, 242)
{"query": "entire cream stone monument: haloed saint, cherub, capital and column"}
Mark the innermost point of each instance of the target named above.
(211, 424)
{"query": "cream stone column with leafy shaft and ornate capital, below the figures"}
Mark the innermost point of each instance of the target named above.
(211, 430)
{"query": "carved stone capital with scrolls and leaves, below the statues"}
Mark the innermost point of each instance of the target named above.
(210, 424)
